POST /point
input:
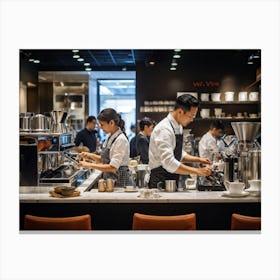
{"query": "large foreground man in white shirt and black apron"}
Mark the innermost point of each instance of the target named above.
(166, 145)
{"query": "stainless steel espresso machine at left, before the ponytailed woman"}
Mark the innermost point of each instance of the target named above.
(44, 159)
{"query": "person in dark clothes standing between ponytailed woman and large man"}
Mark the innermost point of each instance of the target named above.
(142, 139)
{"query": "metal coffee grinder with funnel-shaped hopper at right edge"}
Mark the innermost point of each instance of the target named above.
(248, 151)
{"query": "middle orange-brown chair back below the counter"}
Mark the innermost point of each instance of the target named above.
(151, 222)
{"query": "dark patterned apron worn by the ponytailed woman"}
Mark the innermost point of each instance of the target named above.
(123, 175)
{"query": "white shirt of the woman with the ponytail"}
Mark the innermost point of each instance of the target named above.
(119, 151)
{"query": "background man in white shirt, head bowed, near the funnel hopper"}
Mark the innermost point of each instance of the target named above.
(210, 144)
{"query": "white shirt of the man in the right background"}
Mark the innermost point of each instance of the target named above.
(208, 145)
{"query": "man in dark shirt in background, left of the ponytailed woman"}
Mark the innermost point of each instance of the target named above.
(87, 136)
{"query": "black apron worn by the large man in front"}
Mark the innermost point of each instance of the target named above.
(160, 174)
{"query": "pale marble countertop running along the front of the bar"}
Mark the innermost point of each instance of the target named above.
(41, 195)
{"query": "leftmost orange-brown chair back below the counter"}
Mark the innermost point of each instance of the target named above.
(66, 223)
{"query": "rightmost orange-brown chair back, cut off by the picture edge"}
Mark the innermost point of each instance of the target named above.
(242, 222)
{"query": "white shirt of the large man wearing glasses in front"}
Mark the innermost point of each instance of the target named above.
(163, 143)
